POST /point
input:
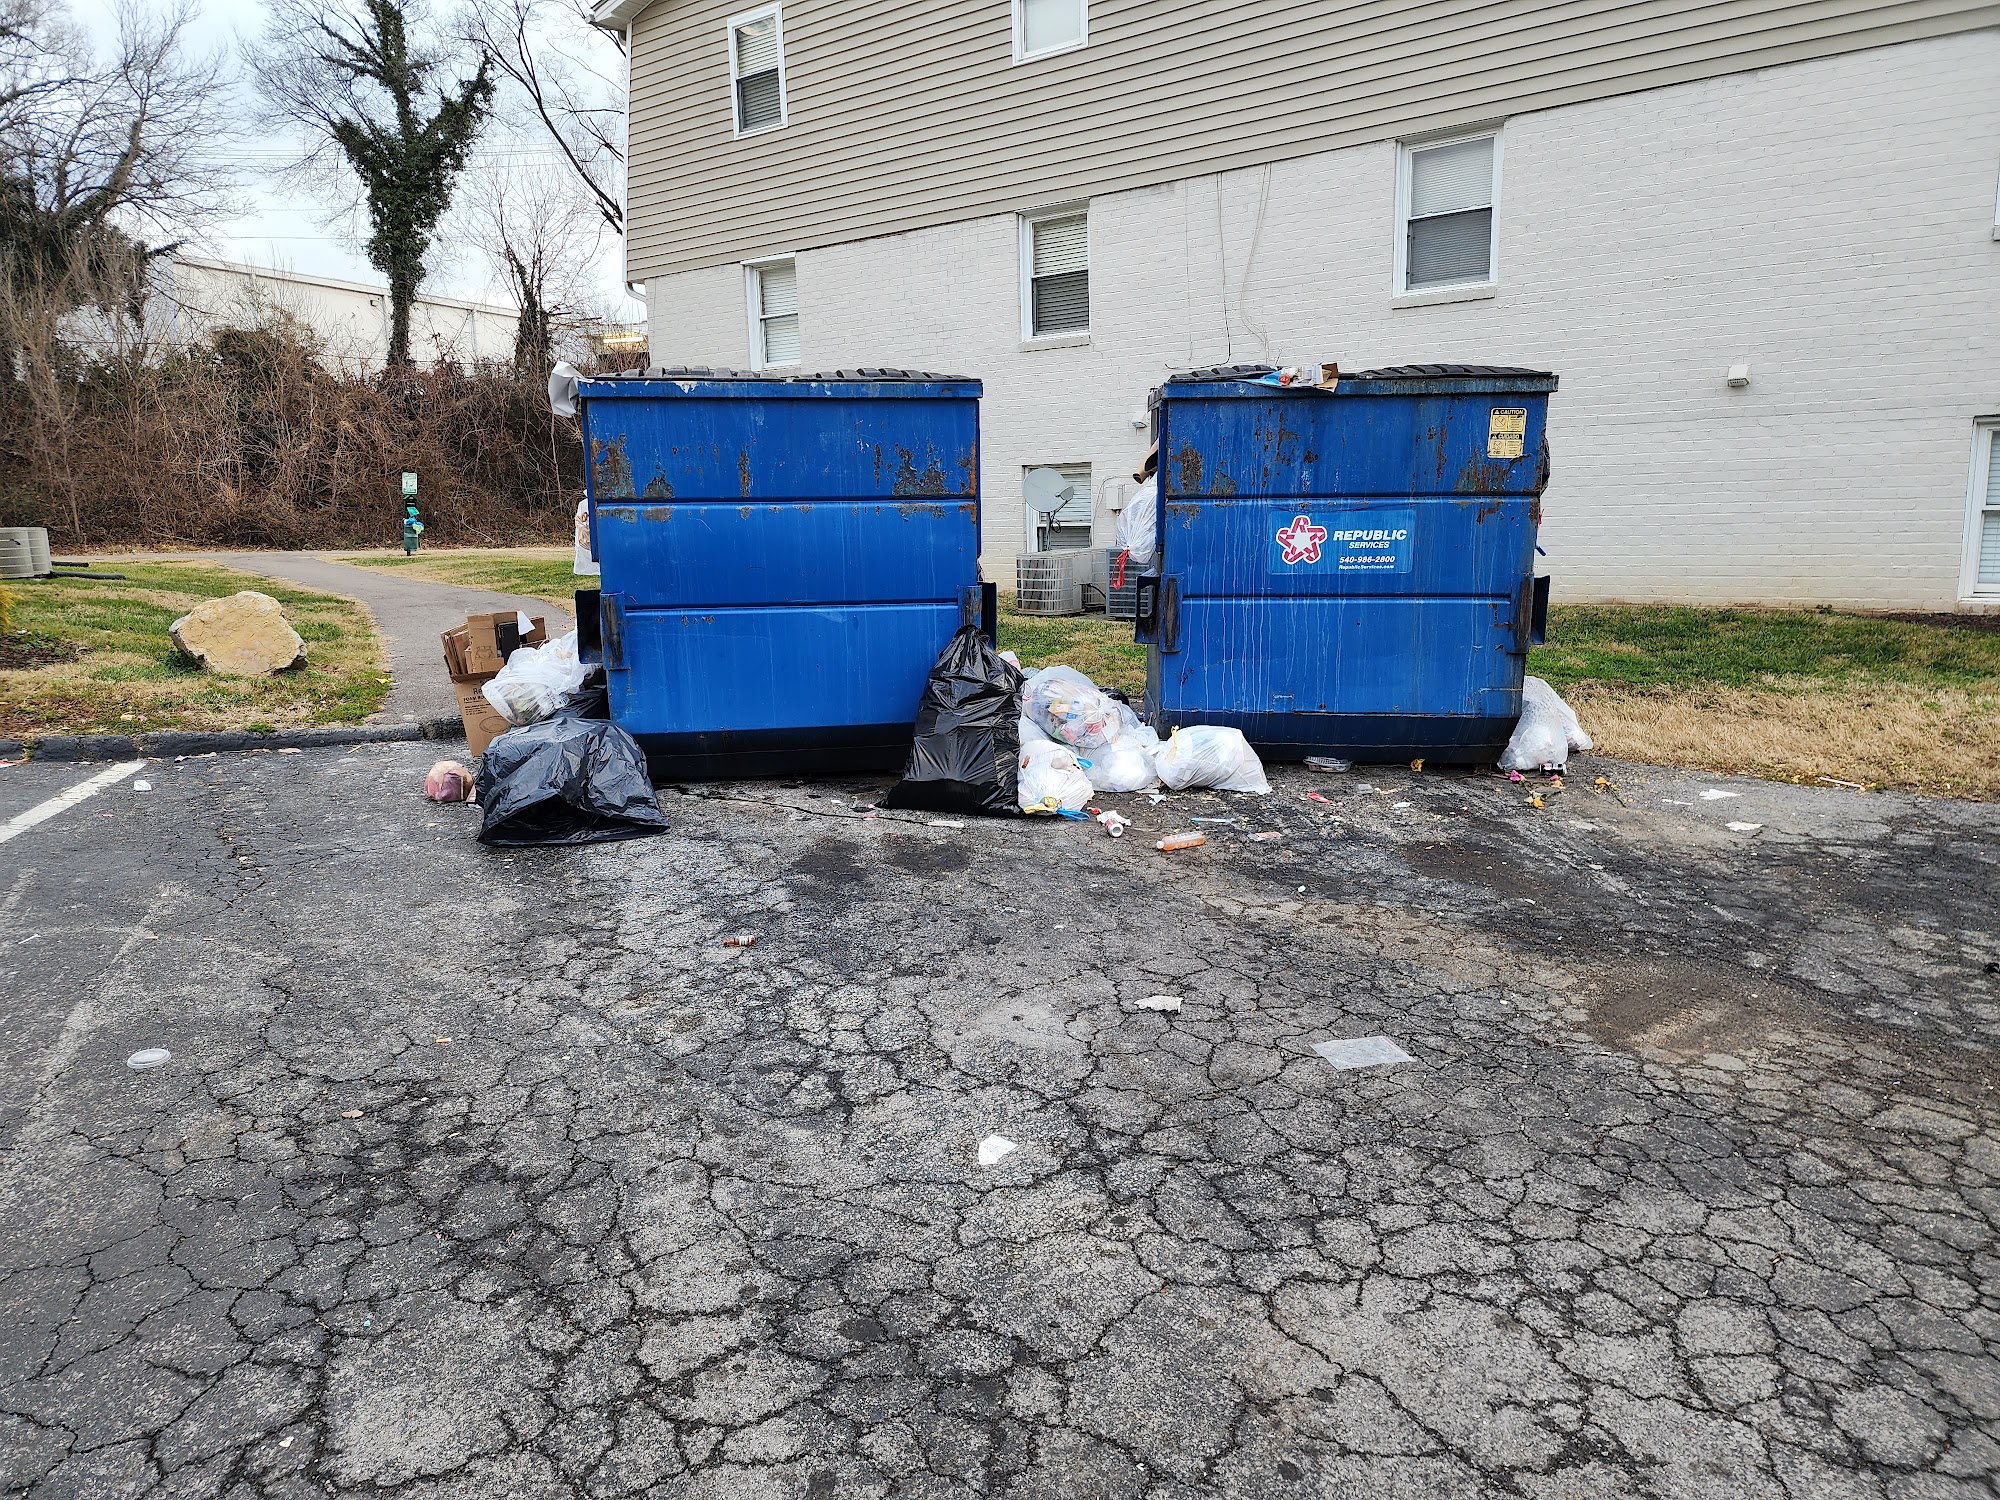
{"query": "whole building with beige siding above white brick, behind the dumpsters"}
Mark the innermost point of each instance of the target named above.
(1757, 241)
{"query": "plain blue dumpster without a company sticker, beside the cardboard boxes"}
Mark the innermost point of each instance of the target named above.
(783, 561)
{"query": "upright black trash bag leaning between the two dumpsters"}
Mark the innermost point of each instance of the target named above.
(967, 753)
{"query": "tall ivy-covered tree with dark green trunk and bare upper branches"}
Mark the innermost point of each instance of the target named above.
(349, 73)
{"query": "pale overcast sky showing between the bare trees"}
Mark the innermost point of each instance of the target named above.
(285, 227)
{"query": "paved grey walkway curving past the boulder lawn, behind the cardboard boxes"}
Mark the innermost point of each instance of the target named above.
(411, 613)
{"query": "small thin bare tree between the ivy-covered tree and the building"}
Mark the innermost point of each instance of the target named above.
(541, 233)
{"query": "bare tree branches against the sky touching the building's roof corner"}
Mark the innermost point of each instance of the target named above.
(565, 79)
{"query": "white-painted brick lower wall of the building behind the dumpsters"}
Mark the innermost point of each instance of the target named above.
(1827, 223)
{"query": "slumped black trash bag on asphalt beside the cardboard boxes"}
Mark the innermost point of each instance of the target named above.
(565, 781)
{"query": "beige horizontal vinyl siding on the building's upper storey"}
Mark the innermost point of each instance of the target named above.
(903, 117)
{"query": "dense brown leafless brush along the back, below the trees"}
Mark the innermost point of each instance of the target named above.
(251, 439)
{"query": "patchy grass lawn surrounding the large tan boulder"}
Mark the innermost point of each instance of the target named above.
(95, 657)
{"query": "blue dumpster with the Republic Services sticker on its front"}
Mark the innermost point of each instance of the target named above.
(1349, 571)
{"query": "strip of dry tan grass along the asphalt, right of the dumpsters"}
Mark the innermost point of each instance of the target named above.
(1923, 739)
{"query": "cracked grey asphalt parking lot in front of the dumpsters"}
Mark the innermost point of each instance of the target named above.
(497, 1175)
